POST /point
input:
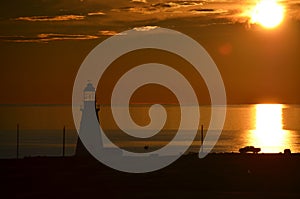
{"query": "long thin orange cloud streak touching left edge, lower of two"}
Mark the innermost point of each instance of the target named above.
(46, 37)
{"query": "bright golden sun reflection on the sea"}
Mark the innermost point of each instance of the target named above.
(269, 134)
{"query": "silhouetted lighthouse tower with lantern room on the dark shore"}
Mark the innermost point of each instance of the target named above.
(87, 124)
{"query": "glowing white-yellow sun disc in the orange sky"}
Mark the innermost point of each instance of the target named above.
(267, 13)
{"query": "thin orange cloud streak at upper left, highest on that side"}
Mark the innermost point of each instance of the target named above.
(51, 18)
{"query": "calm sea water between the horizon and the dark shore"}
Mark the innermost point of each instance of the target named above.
(273, 128)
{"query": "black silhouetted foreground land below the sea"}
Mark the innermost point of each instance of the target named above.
(216, 176)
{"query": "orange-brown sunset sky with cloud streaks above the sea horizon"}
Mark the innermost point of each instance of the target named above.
(43, 43)
